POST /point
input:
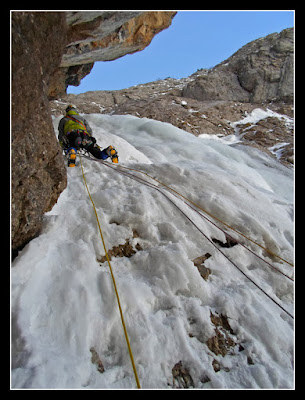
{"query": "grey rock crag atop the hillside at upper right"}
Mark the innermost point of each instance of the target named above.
(262, 70)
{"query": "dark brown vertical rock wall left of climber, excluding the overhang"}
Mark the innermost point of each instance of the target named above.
(38, 173)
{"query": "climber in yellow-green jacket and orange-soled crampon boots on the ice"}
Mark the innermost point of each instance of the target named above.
(75, 133)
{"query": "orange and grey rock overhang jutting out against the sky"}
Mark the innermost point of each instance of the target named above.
(103, 36)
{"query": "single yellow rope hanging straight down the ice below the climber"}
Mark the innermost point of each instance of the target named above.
(113, 281)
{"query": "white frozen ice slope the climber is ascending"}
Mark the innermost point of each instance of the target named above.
(63, 303)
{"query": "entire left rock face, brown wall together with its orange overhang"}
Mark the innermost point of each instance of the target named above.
(49, 51)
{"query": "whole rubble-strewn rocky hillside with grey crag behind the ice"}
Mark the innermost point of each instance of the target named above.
(259, 75)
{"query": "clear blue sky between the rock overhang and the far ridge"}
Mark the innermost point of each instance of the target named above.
(195, 40)
